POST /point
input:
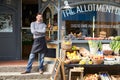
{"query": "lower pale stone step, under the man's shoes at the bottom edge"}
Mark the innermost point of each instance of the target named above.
(19, 76)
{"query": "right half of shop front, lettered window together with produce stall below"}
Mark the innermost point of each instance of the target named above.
(86, 33)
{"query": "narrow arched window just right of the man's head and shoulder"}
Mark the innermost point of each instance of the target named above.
(50, 19)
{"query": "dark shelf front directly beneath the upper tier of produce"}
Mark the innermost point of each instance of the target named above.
(91, 69)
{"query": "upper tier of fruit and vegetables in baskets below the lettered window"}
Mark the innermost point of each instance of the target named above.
(99, 53)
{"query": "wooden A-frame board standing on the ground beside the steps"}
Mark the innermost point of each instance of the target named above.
(58, 70)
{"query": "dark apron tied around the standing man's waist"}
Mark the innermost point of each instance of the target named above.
(39, 45)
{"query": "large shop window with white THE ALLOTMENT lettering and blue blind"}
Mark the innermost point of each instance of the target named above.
(90, 20)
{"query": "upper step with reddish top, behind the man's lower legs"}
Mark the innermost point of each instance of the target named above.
(48, 65)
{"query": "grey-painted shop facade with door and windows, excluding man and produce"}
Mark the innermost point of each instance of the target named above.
(16, 15)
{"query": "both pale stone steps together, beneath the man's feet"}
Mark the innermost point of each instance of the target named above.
(12, 71)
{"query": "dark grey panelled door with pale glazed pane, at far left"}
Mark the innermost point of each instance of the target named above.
(10, 29)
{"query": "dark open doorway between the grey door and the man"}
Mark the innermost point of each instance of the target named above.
(29, 10)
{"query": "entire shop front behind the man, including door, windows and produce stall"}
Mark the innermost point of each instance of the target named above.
(87, 34)
